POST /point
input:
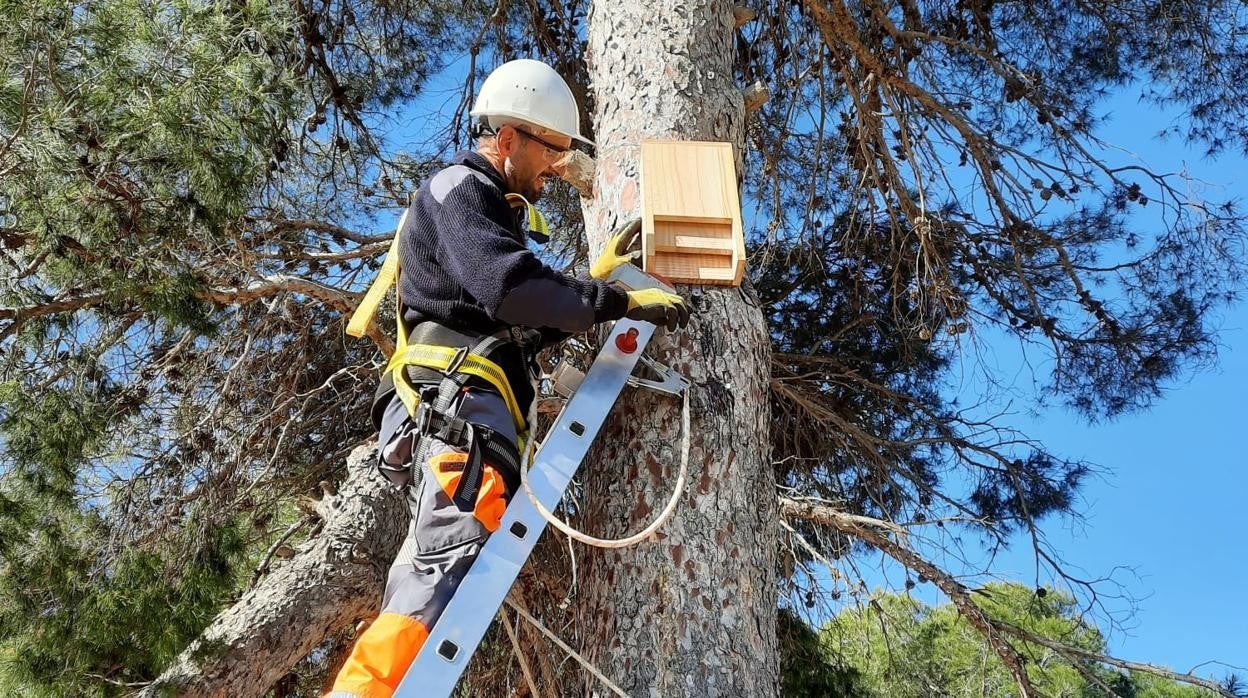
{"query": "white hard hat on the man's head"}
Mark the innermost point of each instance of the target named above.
(531, 92)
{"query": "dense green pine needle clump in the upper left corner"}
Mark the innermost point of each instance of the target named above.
(143, 144)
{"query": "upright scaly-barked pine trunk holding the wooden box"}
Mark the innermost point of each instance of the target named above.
(693, 611)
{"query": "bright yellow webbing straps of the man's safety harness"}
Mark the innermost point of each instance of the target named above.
(429, 356)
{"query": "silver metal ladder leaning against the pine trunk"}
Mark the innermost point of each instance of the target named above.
(454, 640)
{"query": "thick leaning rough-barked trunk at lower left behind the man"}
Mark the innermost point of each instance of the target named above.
(334, 580)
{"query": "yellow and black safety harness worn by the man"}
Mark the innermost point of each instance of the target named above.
(434, 366)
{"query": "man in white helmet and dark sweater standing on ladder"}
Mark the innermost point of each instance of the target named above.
(475, 308)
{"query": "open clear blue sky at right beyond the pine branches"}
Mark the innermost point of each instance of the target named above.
(1172, 505)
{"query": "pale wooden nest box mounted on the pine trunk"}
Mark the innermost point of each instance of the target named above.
(692, 213)
